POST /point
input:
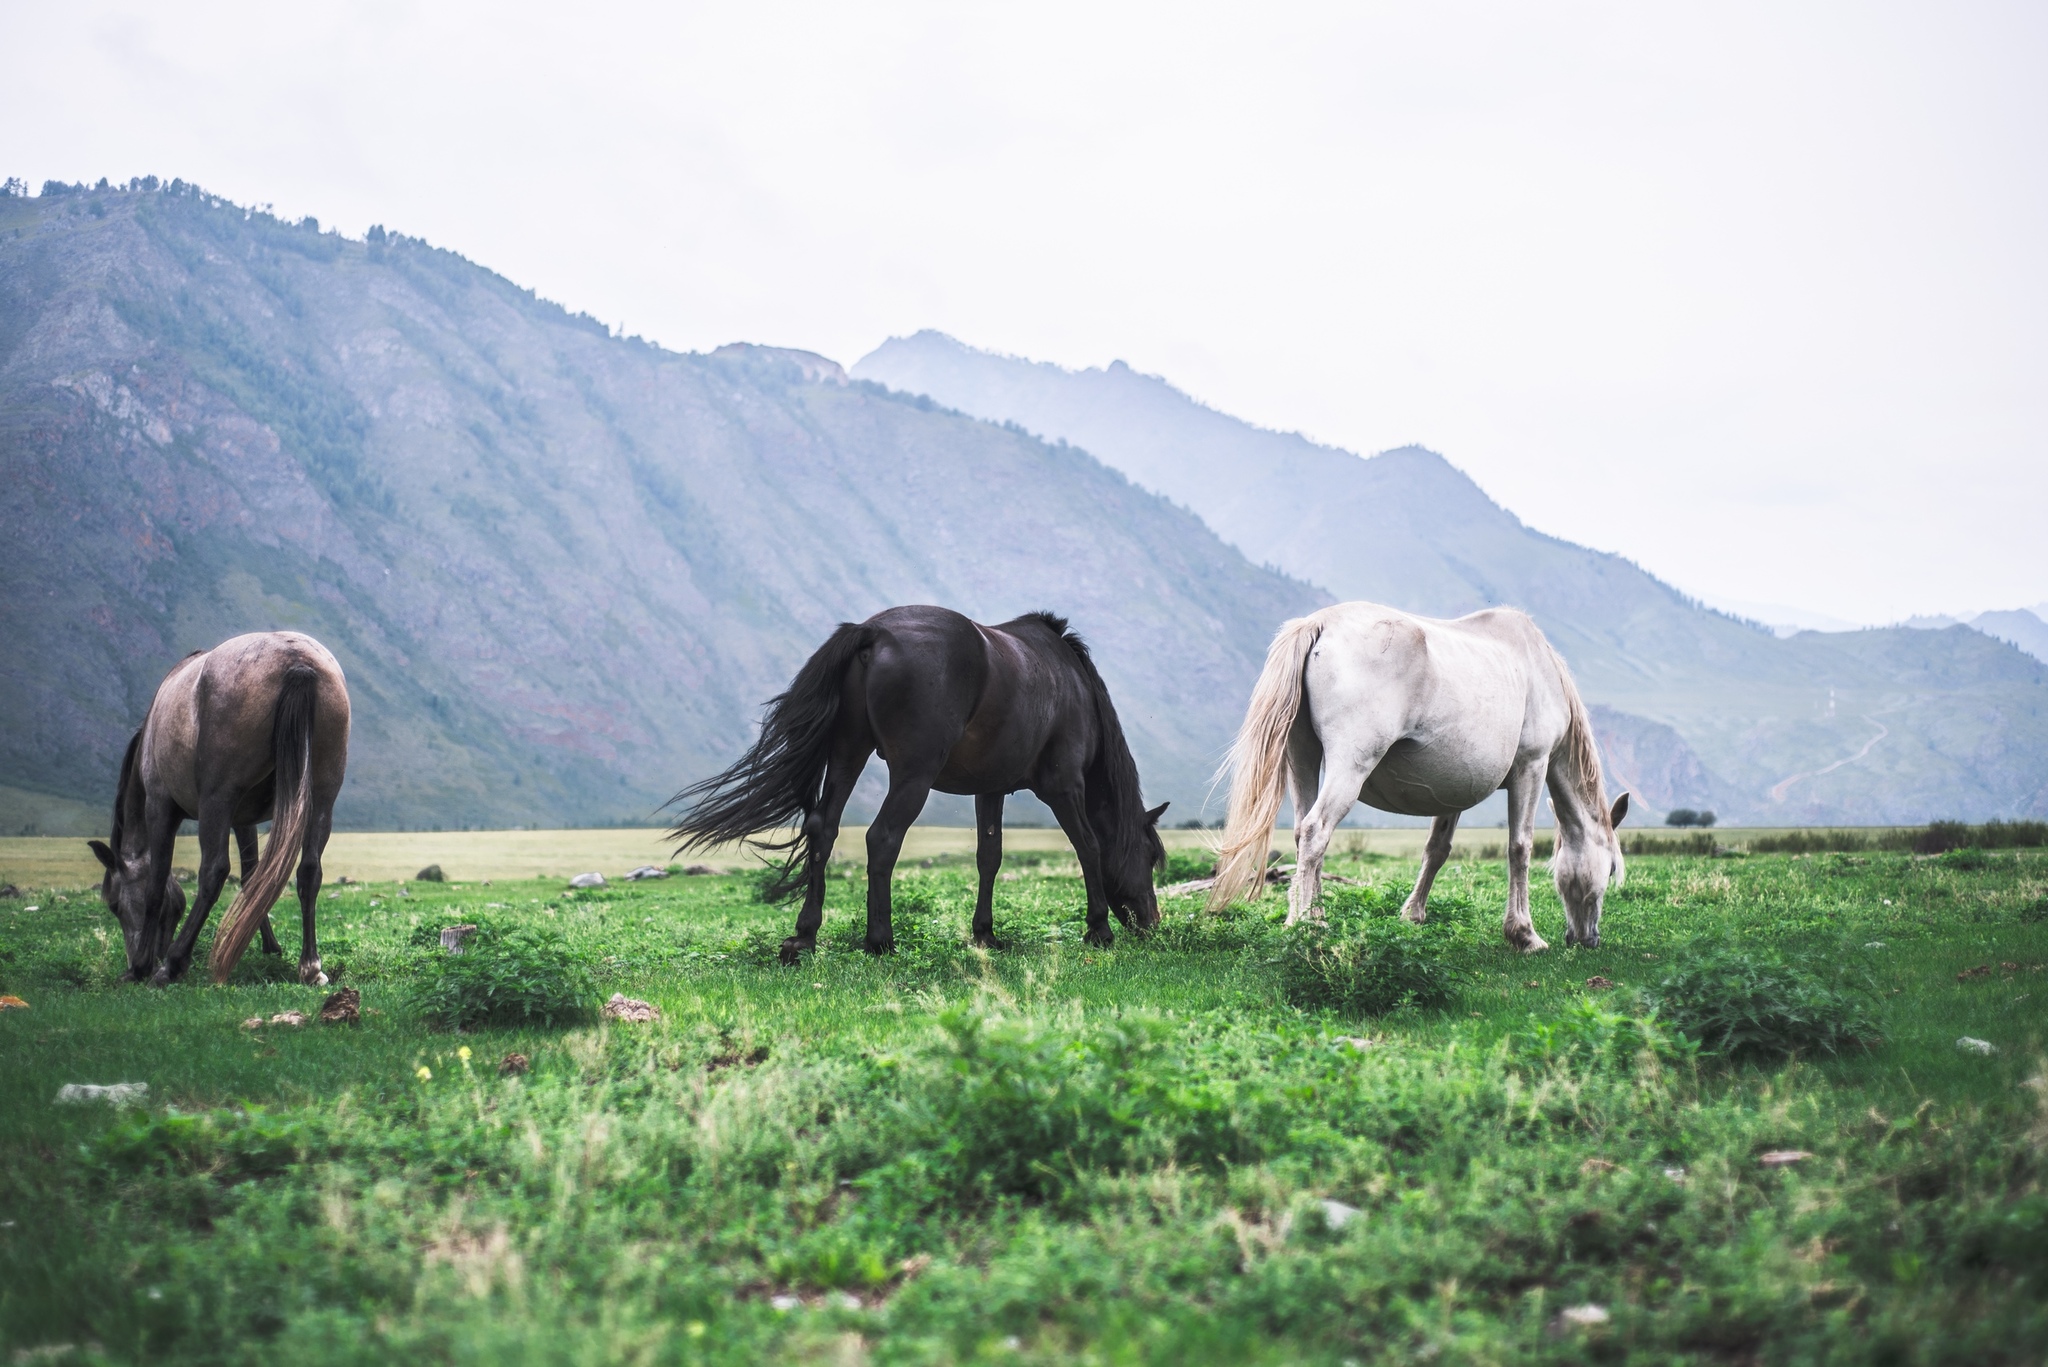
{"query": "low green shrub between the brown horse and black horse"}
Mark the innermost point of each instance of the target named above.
(525, 977)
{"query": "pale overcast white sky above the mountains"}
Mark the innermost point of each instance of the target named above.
(1752, 294)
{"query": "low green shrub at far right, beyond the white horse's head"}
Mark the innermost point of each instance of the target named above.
(1762, 1005)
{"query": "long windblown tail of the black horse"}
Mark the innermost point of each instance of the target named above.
(783, 774)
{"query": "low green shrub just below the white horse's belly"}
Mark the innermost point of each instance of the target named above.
(1371, 968)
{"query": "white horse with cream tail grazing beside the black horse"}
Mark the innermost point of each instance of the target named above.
(1426, 718)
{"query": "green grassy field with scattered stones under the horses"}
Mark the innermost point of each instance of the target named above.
(1039, 1155)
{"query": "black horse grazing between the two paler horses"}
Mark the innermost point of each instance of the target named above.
(951, 706)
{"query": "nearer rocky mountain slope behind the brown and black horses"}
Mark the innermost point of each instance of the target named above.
(560, 569)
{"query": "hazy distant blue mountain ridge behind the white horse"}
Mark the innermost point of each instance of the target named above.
(1863, 727)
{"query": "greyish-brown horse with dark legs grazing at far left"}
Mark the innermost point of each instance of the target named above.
(251, 731)
